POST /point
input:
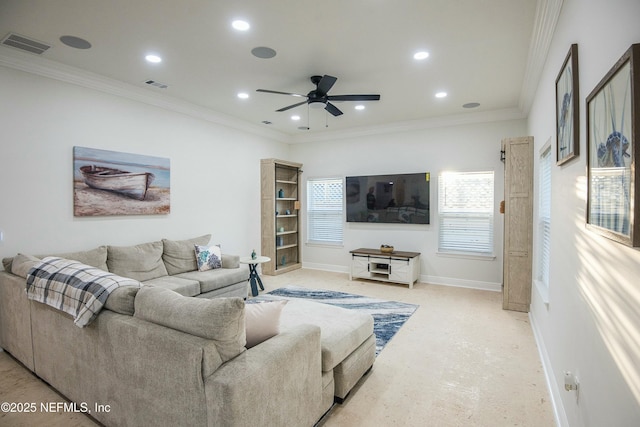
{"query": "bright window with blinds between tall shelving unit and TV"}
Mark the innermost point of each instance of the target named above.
(324, 211)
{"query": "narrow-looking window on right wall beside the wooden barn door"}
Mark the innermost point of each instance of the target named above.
(544, 217)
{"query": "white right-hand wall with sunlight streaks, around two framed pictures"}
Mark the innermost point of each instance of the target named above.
(591, 325)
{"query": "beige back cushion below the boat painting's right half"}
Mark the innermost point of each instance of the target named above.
(141, 262)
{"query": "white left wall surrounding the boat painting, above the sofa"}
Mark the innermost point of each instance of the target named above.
(215, 172)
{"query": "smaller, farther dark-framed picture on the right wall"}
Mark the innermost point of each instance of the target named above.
(567, 109)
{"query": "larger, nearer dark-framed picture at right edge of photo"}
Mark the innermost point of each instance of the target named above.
(613, 129)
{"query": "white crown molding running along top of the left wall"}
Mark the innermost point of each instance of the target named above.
(57, 71)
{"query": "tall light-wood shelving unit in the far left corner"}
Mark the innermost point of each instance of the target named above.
(280, 220)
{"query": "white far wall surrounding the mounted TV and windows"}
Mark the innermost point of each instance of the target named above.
(463, 147)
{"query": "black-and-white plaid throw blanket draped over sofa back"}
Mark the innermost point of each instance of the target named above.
(75, 288)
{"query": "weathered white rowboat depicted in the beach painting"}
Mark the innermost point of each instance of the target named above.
(131, 184)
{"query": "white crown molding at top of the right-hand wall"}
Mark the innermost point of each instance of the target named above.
(544, 26)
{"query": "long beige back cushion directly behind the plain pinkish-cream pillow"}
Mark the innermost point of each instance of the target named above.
(219, 319)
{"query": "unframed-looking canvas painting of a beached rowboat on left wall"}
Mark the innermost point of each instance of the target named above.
(115, 183)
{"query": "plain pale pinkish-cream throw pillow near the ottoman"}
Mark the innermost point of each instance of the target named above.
(262, 321)
